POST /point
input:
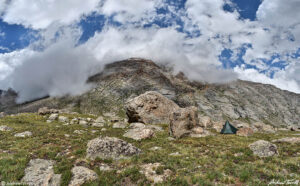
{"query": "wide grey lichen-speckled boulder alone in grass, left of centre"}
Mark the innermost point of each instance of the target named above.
(110, 147)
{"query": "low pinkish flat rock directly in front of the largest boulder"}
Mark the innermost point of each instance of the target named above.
(139, 134)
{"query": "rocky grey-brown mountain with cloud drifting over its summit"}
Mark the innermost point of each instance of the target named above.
(119, 81)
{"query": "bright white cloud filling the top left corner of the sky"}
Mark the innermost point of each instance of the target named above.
(40, 14)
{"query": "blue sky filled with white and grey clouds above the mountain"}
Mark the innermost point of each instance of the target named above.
(51, 47)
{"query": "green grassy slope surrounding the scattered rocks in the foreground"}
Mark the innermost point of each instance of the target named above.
(203, 161)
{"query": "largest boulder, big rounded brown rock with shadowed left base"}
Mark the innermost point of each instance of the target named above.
(150, 108)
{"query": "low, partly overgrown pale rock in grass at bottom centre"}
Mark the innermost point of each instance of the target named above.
(151, 172)
